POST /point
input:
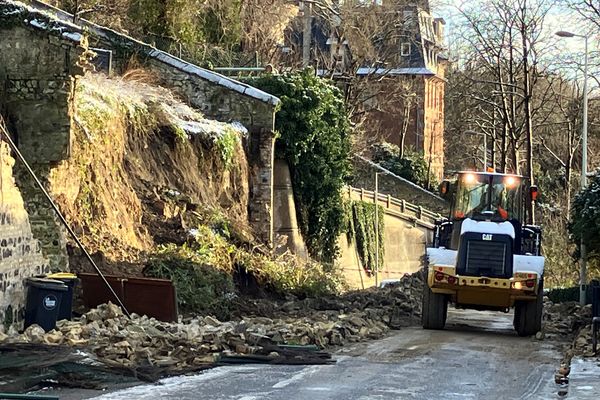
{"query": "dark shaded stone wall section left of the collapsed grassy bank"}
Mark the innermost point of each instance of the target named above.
(37, 81)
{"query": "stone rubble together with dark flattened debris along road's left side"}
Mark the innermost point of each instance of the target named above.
(104, 347)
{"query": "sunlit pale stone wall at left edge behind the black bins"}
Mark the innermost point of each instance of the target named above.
(20, 254)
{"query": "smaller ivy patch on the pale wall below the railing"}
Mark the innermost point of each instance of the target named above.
(361, 229)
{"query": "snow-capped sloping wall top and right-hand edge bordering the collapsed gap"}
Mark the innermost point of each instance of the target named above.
(217, 96)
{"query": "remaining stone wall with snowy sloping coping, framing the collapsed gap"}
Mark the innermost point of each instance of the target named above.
(41, 58)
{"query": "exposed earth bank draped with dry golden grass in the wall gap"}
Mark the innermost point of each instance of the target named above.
(140, 159)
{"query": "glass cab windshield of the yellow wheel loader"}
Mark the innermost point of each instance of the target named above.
(488, 196)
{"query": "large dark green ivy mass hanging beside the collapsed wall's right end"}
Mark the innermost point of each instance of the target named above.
(315, 140)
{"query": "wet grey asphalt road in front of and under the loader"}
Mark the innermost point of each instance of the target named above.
(478, 356)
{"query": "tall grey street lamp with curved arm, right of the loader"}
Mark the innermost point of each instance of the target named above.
(583, 266)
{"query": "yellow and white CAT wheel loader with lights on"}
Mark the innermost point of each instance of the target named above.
(483, 256)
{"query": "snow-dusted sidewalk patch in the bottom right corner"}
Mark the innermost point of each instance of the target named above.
(584, 379)
